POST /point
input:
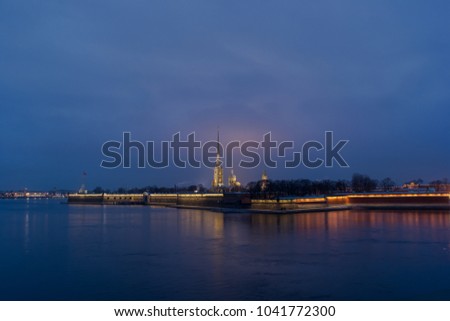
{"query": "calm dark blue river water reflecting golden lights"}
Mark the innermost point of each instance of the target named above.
(55, 251)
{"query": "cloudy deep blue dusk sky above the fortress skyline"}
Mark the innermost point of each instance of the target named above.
(75, 74)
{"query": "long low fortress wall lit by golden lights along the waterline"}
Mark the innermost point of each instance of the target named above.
(243, 202)
